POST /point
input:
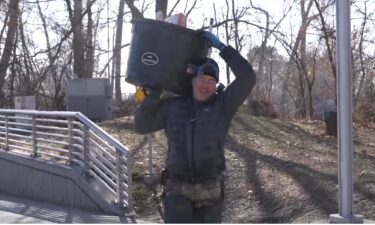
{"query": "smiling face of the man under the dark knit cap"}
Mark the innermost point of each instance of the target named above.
(204, 87)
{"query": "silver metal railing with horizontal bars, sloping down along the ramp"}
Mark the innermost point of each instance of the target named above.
(79, 143)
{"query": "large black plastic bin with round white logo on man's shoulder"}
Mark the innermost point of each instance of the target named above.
(159, 55)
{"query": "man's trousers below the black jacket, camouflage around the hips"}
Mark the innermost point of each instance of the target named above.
(193, 203)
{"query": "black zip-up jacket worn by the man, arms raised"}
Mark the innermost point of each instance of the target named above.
(196, 131)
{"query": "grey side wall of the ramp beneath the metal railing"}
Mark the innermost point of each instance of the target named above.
(44, 181)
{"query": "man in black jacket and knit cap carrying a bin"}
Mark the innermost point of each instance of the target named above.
(196, 127)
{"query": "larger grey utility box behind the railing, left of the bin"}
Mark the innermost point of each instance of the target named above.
(92, 97)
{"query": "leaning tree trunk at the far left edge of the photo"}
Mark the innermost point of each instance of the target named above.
(9, 42)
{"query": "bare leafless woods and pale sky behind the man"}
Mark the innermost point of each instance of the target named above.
(43, 43)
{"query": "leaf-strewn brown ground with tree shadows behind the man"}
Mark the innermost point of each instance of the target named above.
(277, 172)
